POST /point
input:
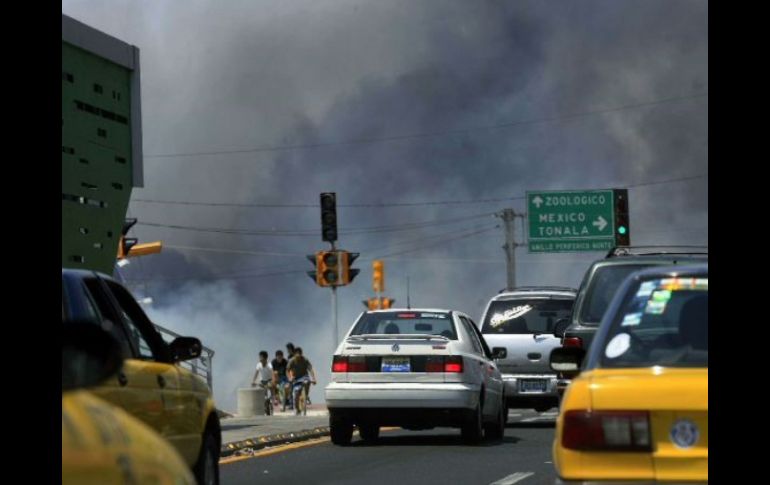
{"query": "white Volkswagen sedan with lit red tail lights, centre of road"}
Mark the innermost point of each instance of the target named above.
(418, 369)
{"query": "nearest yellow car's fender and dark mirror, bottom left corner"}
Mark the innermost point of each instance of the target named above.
(101, 443)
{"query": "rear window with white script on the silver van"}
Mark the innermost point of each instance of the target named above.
(525, 315)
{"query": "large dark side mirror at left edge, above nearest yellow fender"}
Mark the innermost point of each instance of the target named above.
(89, 355)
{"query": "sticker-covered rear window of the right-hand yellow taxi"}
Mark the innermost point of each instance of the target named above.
(664, 322)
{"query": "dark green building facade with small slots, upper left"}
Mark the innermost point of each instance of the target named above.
(101, 143)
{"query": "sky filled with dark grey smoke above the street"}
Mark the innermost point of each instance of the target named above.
(612, 93)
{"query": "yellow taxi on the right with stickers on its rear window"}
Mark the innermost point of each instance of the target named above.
(638, 411)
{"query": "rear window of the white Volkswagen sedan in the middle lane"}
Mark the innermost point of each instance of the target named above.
(406, 322)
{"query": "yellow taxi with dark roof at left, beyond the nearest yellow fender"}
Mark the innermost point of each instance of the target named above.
(151, 386)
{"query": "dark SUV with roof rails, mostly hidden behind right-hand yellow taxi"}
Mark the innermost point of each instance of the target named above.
(605, 276)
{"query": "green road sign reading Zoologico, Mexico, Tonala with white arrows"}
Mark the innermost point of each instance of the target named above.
(570, 221)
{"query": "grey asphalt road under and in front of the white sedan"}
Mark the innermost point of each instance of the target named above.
(412, 457)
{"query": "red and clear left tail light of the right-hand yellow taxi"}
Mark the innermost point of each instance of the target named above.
(606, 430)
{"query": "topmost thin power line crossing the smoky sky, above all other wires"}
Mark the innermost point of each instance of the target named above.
(410, 136)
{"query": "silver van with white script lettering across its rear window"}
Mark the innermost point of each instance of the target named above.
(519, 326)
